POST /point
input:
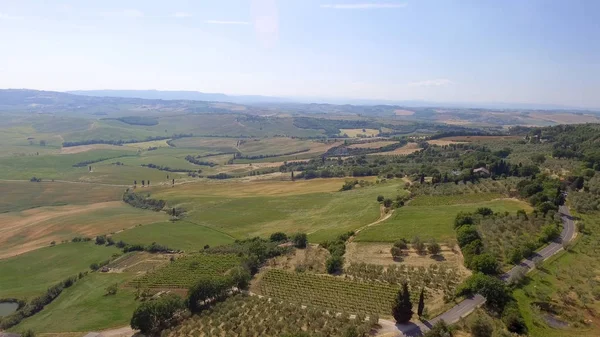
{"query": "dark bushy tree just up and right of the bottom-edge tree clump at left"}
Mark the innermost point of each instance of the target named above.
(205, 291)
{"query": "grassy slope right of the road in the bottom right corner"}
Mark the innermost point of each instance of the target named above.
(569, 283)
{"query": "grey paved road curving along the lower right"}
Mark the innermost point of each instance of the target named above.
(468, 305)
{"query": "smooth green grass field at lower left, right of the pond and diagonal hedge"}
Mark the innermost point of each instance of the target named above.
(86, 307)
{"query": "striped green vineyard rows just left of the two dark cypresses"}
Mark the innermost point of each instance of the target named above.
(329, 292)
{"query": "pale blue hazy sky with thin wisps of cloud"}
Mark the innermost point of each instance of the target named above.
(512, 51)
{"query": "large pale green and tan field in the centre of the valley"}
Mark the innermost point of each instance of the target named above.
(247, 209)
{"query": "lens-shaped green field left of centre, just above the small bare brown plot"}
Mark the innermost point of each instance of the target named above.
(182, 235)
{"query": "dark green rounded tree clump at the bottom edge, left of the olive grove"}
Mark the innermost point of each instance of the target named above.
(151, 317)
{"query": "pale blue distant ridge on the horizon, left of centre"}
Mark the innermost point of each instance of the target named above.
(180, 95)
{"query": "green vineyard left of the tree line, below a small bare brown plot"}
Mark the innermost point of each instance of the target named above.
(185, 271)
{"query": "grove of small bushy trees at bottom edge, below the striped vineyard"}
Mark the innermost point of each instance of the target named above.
(246, 316)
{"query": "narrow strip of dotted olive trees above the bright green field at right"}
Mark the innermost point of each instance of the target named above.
(500, 186)
